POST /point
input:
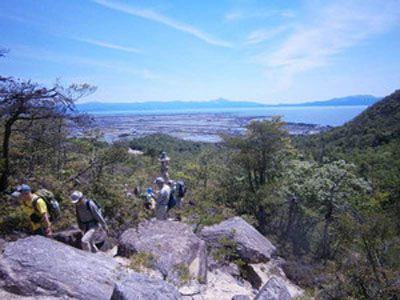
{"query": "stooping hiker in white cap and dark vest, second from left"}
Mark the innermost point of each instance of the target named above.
(90, 220)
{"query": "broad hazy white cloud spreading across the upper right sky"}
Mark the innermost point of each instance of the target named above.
(337, 28)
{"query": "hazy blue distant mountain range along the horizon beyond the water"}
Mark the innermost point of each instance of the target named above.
(92, 107)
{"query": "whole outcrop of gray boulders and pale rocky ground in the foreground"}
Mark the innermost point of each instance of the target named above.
(157, 260)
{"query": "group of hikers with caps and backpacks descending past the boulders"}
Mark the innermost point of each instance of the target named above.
(42, 208)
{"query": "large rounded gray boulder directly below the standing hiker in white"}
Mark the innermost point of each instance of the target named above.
(176, 250)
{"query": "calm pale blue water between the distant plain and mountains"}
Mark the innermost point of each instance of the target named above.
(323, 115)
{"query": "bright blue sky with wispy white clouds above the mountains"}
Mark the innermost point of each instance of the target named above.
(269, 51)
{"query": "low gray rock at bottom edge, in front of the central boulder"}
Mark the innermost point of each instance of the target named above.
(138, 287)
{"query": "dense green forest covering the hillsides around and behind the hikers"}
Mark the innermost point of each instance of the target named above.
(330, 202)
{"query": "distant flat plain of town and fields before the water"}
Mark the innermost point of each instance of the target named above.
(195, 127)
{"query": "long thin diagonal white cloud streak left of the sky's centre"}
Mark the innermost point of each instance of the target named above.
(159, 18)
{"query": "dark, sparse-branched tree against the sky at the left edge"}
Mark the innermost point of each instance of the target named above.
(24, 103)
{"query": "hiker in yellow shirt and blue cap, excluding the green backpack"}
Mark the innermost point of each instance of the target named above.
(35, 208)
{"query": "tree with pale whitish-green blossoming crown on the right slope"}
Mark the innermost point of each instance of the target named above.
(328, 190)
